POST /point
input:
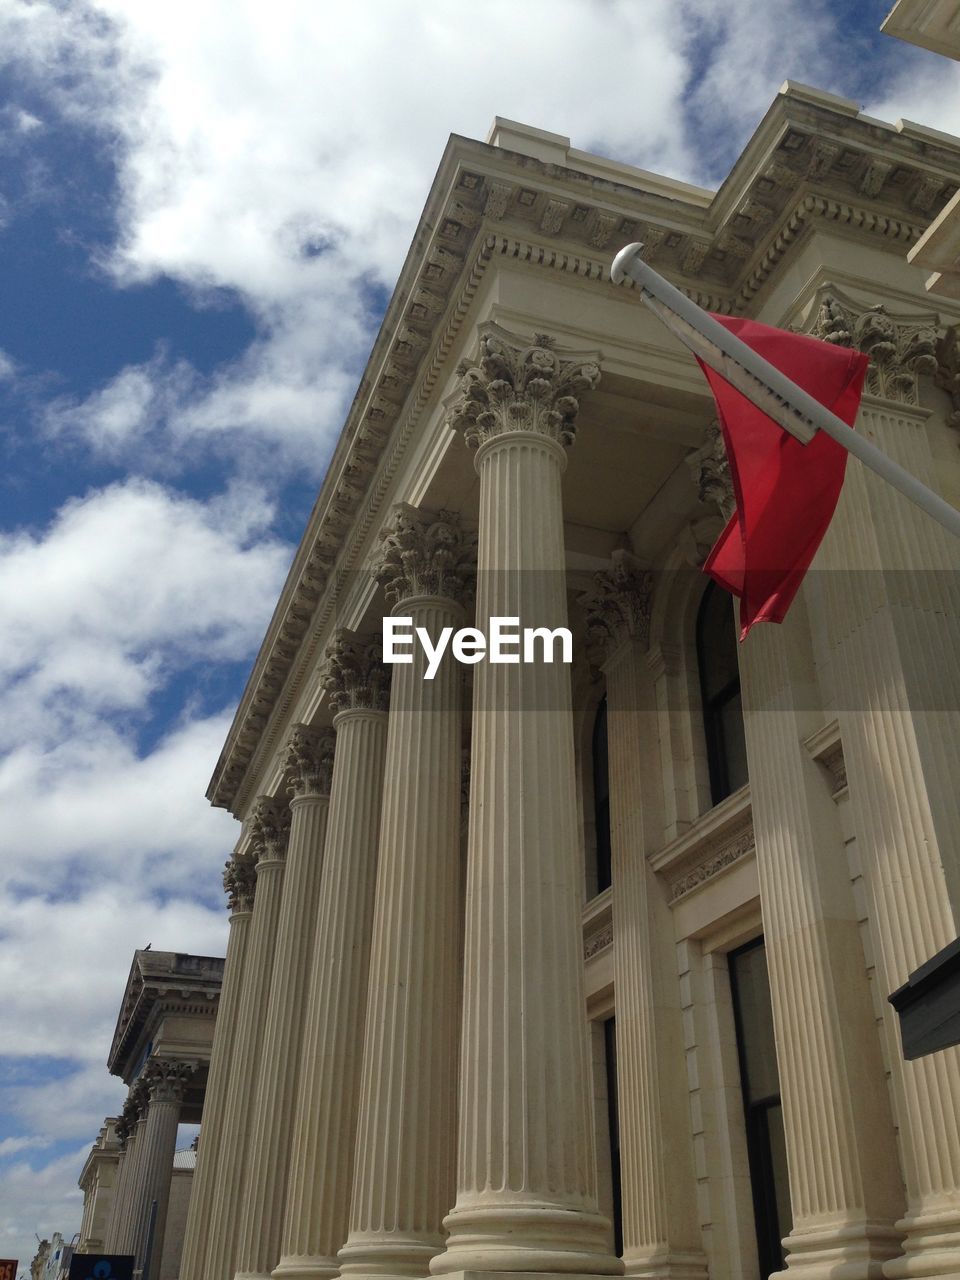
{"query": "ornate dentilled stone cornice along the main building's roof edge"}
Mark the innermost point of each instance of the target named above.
(812, 158)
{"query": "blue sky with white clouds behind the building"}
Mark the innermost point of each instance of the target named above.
(204, 208)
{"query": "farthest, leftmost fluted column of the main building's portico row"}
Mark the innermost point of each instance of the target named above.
(240, 884)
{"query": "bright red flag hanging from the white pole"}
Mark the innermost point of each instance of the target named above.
(787, 492)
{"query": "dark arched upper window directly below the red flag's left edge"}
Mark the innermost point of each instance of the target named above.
(720, 691)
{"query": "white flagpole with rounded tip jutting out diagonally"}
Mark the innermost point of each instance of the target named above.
(766, 386)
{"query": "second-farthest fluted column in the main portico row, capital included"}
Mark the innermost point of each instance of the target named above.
(269, 825)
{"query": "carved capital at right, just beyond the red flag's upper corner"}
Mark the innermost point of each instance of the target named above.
(900, 348)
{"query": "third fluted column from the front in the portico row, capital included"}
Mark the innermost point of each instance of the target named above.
(324, 1131)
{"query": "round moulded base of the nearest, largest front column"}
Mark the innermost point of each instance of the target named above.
(524, 1238)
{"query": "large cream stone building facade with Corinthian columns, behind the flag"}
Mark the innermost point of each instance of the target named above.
(583, 968)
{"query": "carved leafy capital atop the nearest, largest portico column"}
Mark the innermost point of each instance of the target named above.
(522, 386)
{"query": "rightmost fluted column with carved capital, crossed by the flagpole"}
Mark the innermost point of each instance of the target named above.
(888, 620)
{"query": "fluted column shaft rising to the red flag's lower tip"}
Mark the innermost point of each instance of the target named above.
(842, 1153)
